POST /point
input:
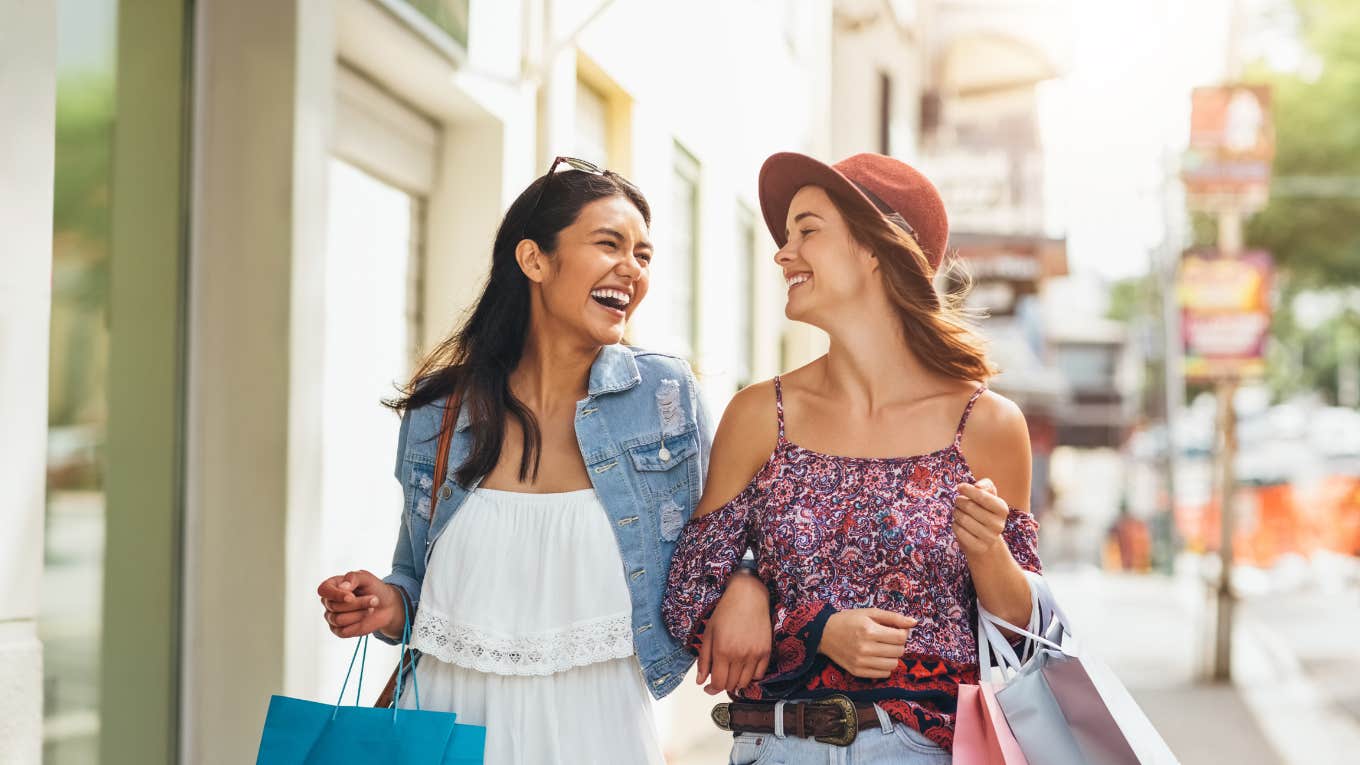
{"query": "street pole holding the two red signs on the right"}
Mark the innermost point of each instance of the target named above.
(1230, 244)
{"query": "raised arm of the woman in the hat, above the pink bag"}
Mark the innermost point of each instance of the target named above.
(999, 538)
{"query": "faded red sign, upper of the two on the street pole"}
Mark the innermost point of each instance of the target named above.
(1231, 148)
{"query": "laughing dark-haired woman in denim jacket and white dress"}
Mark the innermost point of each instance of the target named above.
(534, 563)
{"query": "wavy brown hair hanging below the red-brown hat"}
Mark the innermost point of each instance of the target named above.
(936, 326)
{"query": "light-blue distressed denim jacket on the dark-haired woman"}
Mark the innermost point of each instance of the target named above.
(645, 439)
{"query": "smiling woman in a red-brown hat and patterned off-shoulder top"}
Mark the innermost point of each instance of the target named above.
(883, 489)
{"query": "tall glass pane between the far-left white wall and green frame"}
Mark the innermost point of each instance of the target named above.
(74, 540)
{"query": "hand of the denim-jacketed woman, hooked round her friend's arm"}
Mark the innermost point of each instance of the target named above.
(736, 645)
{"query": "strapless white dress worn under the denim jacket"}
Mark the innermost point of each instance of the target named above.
(526, 623)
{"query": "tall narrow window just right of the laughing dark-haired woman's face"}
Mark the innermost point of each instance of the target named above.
(681, 278)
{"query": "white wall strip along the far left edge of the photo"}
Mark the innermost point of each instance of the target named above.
(28, 100)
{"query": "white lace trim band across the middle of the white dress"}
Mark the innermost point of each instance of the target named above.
(543, 654)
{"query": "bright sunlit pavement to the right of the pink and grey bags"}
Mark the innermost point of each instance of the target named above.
(1150, 631)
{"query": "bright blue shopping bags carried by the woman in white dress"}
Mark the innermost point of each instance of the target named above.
(309, 733)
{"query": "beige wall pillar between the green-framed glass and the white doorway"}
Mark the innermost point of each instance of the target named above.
(254, 459)
